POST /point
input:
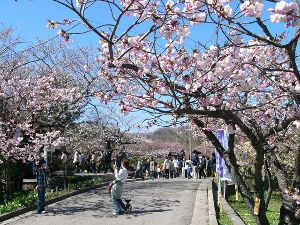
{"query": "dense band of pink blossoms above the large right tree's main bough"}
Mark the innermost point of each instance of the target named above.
(238, 81)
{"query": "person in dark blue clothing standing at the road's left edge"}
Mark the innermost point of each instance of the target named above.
(41, 185)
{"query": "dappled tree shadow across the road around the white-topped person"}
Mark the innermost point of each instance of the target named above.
(148, 197)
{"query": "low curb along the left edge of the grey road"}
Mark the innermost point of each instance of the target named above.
(27, 209)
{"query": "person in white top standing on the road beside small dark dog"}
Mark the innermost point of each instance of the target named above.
(117, 188)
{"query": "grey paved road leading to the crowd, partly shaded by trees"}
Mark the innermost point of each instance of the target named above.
(167, 202)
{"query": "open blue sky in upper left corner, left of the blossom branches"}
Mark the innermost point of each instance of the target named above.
(29, 19)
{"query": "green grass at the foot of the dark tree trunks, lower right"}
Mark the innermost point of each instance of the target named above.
(241, 208)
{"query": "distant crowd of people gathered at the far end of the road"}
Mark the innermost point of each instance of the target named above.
(199, 166)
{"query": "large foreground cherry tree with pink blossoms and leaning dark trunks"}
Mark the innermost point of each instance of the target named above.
(248, 77)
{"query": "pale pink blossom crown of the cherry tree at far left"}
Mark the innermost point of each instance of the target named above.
(34, 99)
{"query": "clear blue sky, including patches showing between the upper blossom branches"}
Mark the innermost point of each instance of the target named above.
(29, 19)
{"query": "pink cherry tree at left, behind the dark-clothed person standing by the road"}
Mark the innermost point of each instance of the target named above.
(40, 96)
